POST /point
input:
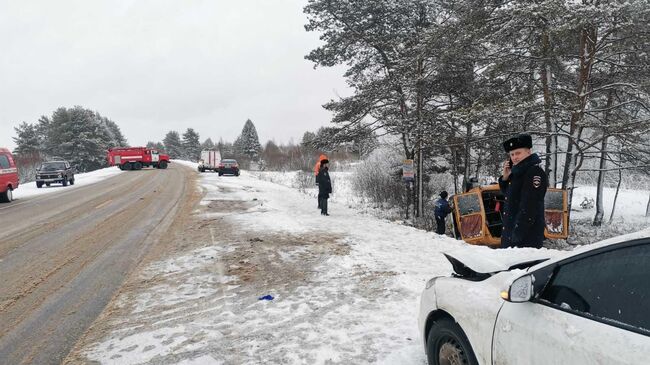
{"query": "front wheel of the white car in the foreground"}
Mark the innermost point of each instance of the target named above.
(448, 344)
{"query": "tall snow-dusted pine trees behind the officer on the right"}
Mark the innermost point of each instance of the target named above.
(453, 78)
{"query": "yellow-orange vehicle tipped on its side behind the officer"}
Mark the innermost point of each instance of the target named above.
(477, 215)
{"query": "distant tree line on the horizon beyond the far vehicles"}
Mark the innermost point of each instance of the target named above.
(82, 137)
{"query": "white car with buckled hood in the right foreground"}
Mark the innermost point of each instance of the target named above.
(588, 306)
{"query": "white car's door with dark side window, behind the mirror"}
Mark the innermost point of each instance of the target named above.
(594, 310)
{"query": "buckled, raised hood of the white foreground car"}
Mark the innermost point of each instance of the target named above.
(481, 263)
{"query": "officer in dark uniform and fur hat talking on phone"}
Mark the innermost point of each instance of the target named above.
(524, 185)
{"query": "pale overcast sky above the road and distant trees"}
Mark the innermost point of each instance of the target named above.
(160, 65)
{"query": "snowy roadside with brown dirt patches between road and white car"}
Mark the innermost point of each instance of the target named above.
(345, 288)
